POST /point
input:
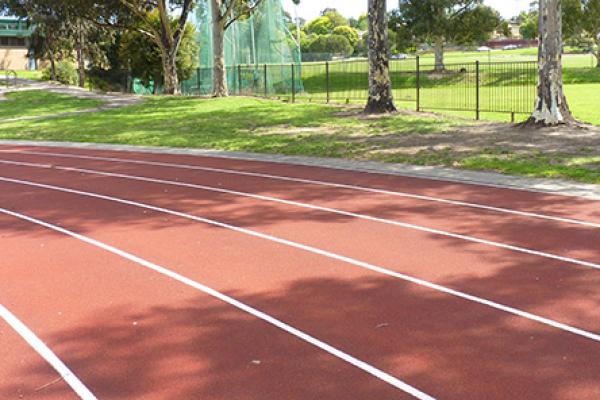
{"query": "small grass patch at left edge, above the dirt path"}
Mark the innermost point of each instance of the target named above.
(41, 103)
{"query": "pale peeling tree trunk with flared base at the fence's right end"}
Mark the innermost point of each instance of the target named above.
(551, 105)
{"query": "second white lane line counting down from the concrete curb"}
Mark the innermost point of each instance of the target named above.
(583, 263)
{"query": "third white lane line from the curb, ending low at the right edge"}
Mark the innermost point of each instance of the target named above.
(361, 264)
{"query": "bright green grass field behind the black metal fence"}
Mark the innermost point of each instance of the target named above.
(504, 88)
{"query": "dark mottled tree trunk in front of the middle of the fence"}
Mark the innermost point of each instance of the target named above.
(380, 84)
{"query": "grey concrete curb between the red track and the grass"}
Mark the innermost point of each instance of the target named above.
(548, 186)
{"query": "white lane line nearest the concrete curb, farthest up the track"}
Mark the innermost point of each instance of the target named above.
(323, 183)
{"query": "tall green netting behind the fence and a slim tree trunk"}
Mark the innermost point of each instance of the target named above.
(250, 44)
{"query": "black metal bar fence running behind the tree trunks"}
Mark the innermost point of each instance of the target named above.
(478, 87)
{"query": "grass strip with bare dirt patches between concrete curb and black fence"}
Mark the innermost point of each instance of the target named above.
(265, 126)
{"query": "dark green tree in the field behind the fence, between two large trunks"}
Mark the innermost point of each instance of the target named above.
(443, 21)
